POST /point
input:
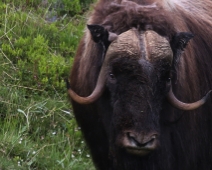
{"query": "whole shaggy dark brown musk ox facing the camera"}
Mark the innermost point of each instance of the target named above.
(138, 83)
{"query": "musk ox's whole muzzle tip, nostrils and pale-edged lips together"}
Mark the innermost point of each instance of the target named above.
(139, 143)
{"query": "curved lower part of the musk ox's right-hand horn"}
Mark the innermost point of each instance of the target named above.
(186, 106)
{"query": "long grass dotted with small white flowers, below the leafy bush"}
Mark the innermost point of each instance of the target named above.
(39, 134)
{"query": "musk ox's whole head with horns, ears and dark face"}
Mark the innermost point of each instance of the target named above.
(137, 73)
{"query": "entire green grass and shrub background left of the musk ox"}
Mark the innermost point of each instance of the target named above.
(38, 40)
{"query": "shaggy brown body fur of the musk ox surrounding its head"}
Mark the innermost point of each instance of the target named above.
(186, 144)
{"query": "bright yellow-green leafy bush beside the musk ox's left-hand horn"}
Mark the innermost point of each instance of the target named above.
(36, 66)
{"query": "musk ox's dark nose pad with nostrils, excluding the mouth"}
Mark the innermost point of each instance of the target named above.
(145, 141)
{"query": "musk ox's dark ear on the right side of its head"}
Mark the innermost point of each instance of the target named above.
(178, 44)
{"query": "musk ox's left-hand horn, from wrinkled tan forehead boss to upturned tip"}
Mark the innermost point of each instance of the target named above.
(125, 43)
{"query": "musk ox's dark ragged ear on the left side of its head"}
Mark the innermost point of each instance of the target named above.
(101, 35)
